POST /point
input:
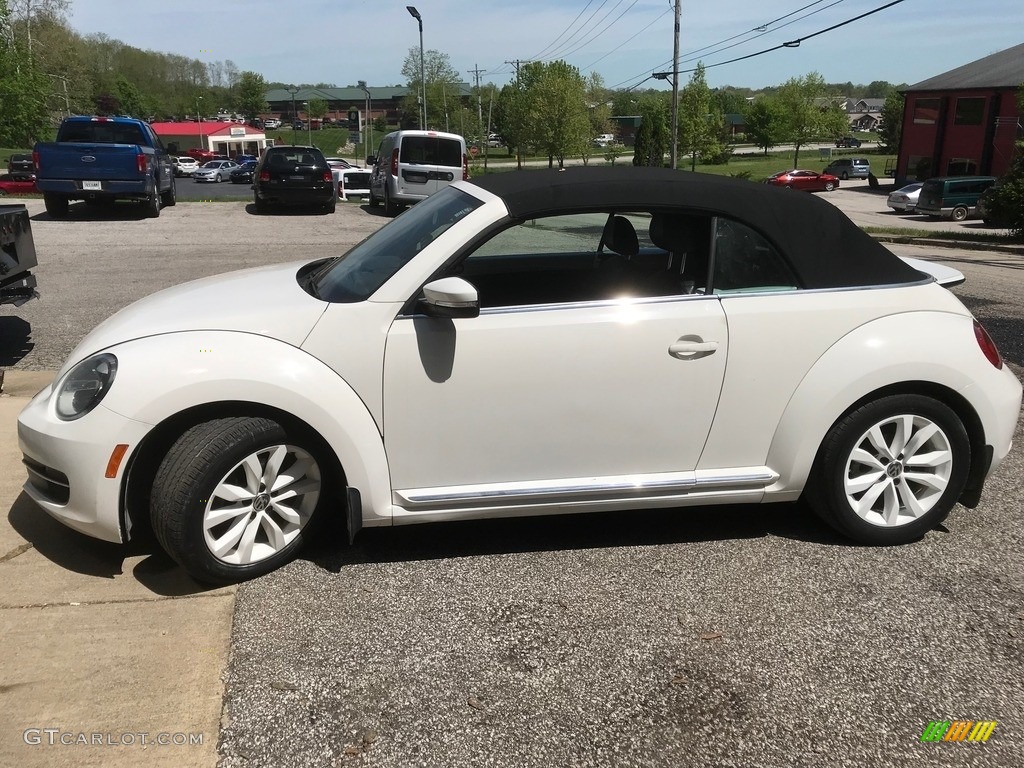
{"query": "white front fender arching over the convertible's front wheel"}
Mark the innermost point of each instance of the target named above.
(161, 376)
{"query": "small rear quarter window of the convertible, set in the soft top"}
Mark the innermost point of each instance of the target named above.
(746, 263)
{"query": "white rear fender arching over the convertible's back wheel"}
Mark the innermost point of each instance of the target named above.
(938, 349)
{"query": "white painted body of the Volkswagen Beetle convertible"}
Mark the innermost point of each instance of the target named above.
(524, 411)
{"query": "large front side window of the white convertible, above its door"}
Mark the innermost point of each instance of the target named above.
(579, 258)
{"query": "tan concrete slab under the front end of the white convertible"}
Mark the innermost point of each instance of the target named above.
(105, 651)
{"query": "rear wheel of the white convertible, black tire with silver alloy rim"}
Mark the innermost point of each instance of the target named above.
(879, 481)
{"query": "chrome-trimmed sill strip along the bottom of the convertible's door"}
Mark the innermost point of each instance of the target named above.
(580, 489)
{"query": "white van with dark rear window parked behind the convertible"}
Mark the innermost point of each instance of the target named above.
(411, 166)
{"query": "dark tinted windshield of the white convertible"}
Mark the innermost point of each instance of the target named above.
(360, 273)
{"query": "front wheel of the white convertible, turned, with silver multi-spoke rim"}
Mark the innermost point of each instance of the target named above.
(210, 456)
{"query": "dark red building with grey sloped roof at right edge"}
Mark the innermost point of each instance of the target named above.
(964, 122)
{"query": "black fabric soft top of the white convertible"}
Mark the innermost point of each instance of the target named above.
(824, 246)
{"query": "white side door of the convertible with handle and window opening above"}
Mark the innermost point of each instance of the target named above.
(554, 389)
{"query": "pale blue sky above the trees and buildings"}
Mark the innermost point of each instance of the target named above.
(343, 41)
